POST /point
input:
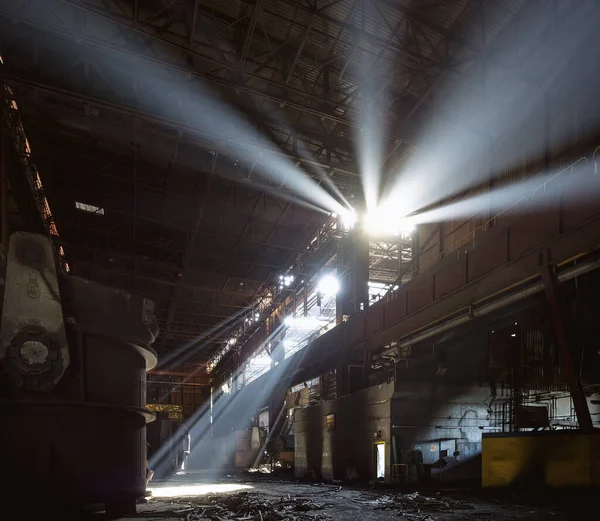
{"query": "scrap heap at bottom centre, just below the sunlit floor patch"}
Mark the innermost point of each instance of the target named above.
(247, 506)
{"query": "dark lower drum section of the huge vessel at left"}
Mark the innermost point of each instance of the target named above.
(72, 454)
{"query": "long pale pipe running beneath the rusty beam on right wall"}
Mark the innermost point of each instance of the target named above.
(569, 274)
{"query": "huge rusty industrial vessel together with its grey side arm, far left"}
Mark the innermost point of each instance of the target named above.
(73, 362)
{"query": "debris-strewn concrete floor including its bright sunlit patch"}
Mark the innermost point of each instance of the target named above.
(343, 503)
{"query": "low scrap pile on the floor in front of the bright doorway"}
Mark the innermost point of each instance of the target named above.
(414, 506)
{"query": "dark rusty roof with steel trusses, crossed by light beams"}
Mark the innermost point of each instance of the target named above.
(204, 250)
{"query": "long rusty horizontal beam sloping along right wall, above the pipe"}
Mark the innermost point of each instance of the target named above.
(350, 337)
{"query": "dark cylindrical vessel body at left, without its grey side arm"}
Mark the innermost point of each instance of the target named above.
(84, 440)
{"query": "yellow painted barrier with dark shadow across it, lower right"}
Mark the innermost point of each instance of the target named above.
(558, 459)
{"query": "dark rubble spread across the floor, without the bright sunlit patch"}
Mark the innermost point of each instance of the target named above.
(277, 501)
